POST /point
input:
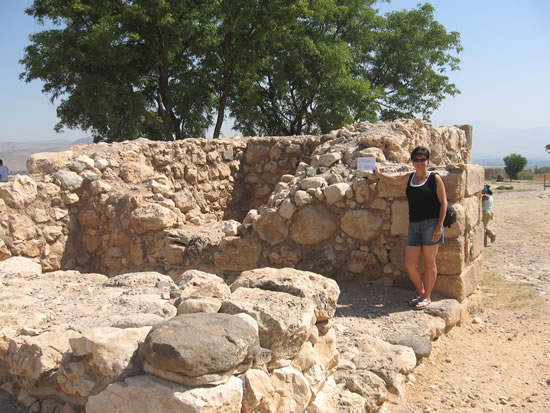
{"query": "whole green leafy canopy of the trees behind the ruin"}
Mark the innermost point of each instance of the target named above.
(170, 69)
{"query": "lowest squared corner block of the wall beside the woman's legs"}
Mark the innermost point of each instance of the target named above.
(462, 285)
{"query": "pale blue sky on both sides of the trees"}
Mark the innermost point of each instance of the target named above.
(504, 73)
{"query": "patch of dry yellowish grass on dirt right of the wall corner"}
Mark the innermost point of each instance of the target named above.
(502, 294)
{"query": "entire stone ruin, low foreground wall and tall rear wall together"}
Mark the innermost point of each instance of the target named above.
(201, 275)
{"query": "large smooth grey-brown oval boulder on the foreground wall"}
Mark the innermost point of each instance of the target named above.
(198, 349)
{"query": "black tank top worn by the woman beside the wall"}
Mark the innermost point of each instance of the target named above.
(423, 200)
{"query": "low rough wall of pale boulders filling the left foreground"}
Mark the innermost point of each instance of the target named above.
(142, 342)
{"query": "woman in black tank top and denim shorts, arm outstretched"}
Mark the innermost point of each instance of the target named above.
(427, 208)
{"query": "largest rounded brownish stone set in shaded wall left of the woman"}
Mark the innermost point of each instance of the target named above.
(312, 225)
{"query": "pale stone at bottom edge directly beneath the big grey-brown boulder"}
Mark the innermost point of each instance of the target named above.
(148, 393)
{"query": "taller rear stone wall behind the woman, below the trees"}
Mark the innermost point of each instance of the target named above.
(231, 205)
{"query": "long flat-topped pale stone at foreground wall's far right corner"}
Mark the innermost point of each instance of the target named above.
(322, 291)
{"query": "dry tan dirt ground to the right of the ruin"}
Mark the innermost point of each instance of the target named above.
(501, 363)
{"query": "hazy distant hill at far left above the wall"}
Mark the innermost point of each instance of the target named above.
(15, 154)
